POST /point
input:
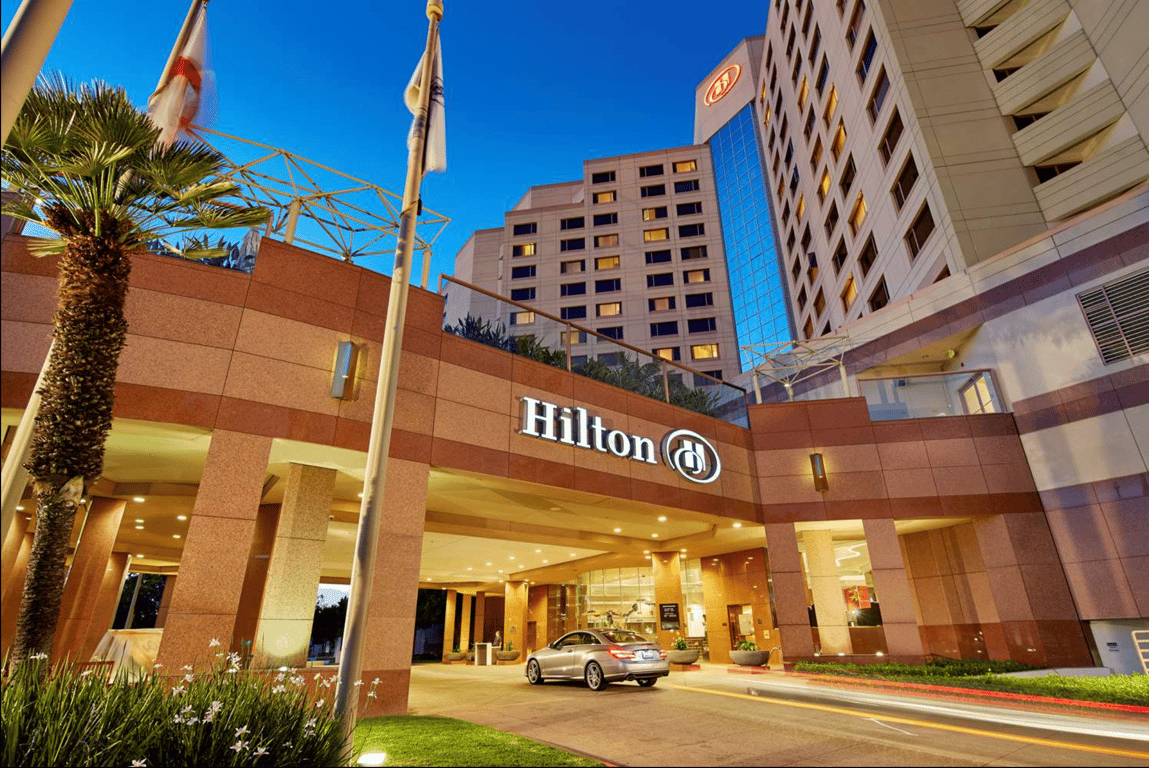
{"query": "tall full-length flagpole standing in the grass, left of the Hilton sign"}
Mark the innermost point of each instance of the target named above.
(351, 666)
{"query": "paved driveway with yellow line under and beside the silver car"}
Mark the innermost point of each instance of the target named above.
(714, 718)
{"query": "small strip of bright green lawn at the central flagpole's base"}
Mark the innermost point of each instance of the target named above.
(433, 741)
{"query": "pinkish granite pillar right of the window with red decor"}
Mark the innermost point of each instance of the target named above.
(904, 639)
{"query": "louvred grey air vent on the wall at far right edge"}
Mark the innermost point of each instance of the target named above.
(1119, 317)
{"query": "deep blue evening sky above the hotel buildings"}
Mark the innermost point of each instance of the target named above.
(533, 89)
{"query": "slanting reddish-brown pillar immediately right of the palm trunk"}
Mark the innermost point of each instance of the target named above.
(86, 578)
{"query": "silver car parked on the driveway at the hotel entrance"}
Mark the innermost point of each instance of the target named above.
(599, 657)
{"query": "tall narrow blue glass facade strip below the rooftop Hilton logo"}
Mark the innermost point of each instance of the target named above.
(757, 286)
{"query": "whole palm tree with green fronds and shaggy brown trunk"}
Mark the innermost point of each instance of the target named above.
(88, 165)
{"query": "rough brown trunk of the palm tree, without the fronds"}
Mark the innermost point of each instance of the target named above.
(78, 397)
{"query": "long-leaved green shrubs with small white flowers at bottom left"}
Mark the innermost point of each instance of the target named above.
(61, 717)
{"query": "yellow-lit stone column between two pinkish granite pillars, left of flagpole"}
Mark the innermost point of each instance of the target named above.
(290, 590)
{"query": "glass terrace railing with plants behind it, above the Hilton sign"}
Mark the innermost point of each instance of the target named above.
(477, 314)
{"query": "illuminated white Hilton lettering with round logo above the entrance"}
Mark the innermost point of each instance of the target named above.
(688, 454)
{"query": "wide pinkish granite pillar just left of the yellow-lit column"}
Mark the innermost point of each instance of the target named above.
(217, 549)
